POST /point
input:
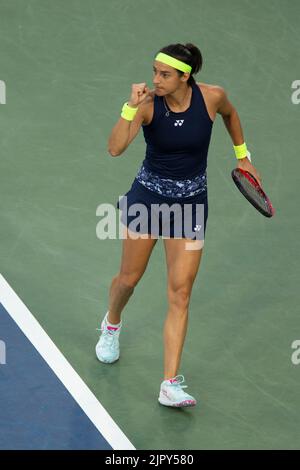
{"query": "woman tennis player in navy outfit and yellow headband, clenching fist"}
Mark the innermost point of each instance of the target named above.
(177, 118)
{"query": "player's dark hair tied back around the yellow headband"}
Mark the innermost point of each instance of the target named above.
(188, 53)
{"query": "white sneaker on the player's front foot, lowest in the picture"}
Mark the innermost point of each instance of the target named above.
(171, 393)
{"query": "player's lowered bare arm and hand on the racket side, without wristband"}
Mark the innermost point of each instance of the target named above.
(233, 124)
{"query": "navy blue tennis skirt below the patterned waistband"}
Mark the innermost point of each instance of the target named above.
(145, 211)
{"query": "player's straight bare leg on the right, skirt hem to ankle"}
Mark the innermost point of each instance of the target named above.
(182, 267)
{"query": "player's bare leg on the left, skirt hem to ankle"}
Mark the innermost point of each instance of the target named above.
(135, 256)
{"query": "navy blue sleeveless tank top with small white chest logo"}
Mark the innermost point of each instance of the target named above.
(177, 143)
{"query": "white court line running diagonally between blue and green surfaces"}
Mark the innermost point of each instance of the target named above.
(61, 367)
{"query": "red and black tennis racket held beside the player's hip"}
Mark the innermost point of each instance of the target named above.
(252, 191)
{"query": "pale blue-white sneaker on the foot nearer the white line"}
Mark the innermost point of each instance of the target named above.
(107, 348)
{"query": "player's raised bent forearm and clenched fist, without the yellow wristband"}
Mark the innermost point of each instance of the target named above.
(125, 131)
